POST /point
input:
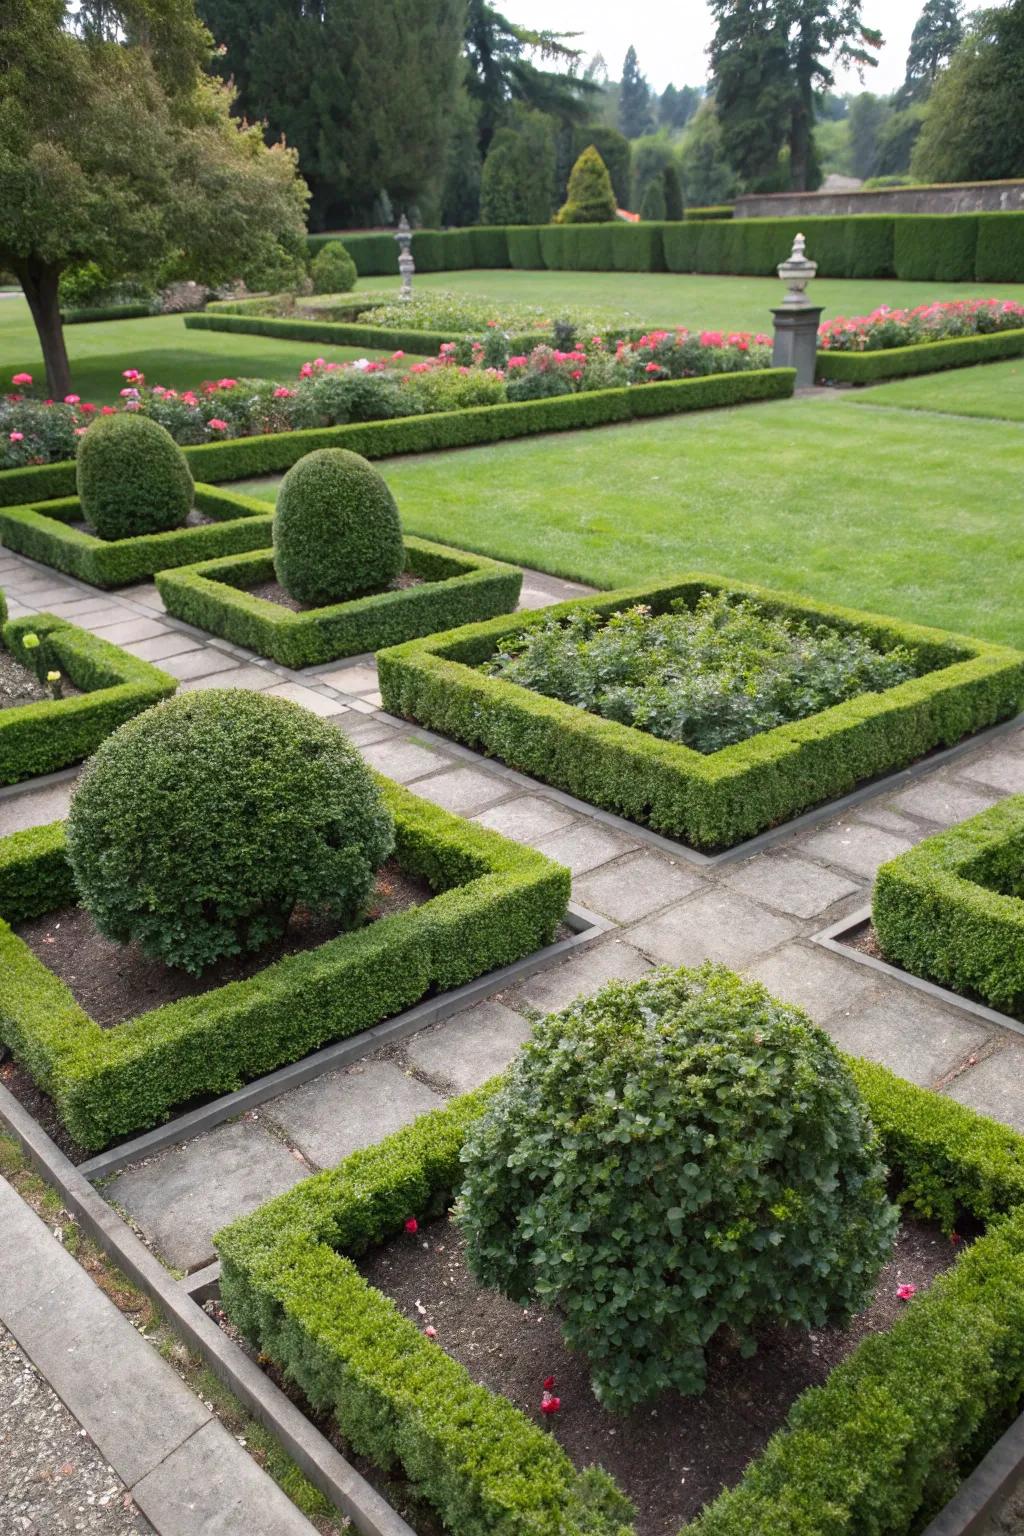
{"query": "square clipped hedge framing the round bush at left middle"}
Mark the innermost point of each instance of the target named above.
(495, 902)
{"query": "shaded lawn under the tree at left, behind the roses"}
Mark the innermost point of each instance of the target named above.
(160, 346)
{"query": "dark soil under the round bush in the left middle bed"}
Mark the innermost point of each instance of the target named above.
(116, 982)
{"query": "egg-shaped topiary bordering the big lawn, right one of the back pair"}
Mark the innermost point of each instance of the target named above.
(337, 531)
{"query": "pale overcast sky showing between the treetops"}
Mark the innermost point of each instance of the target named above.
(672, 36)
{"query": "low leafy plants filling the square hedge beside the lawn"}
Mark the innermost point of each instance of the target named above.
(705, 678)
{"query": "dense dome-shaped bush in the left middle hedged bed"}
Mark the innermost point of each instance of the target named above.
(202, 824)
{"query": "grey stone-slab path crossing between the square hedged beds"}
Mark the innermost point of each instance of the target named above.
(755, 915)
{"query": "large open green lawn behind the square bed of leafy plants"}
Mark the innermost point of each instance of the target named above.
(905, 514)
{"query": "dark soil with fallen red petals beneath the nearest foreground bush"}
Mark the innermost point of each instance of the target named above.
(676, 1454)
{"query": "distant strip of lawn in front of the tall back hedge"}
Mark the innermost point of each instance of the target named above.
(713, 303)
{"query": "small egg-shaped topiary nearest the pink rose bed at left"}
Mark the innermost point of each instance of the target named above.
(133, 478)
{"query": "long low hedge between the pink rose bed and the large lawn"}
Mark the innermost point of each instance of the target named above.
(271, 454)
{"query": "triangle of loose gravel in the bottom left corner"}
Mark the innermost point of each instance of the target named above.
(53, 1478)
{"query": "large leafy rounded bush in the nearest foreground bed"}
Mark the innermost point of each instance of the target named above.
(670, 1159)
